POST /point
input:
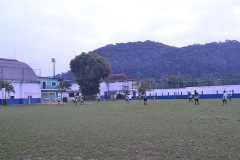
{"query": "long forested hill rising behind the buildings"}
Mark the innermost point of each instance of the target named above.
(156, 60)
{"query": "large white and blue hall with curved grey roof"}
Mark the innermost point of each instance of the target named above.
(23, 79)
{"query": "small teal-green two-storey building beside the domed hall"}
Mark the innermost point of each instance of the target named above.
(49, 88)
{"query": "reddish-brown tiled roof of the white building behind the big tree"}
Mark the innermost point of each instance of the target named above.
(120, 77)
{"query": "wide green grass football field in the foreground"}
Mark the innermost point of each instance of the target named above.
(164, 129)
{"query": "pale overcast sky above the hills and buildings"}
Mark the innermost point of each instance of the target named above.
(34, 31)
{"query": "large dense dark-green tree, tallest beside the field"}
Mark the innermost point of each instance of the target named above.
(88, 70)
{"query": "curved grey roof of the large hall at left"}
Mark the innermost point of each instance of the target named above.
(13, 70)
